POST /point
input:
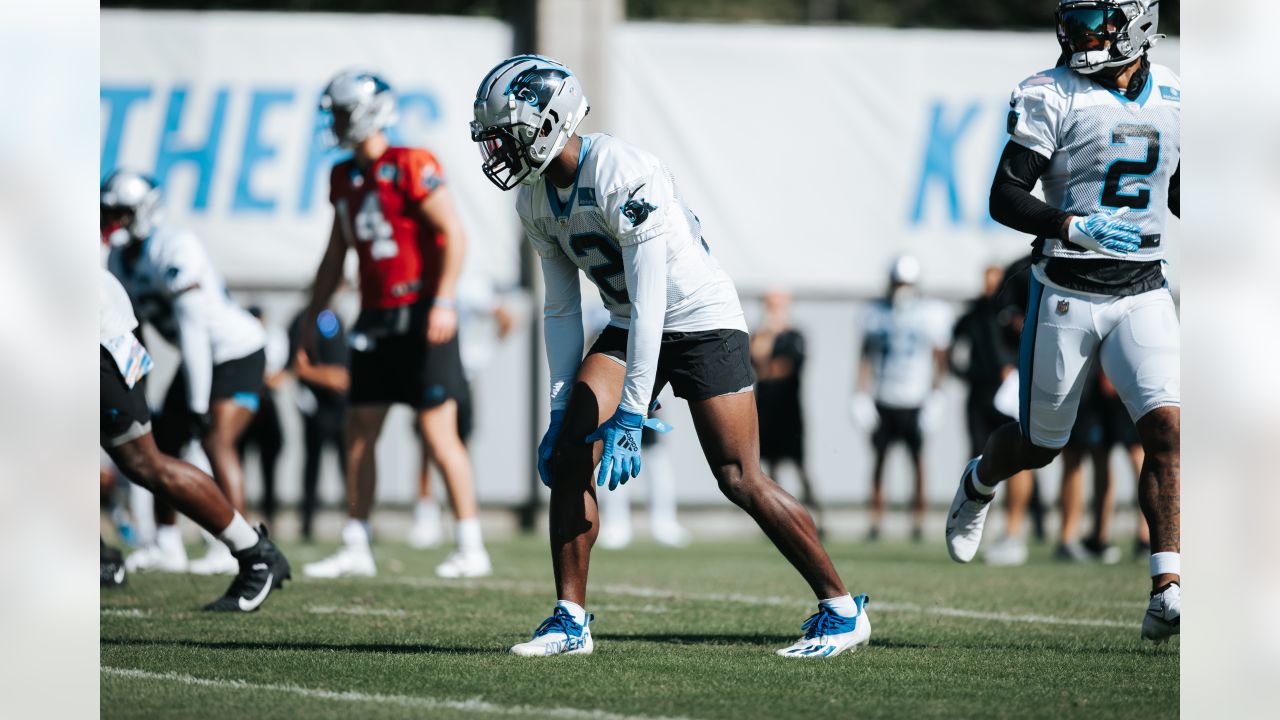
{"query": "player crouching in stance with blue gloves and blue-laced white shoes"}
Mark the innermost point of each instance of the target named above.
(597, 204)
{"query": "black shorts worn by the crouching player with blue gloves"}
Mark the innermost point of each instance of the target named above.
(700, 366)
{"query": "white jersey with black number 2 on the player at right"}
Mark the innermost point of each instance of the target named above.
(1105, 151)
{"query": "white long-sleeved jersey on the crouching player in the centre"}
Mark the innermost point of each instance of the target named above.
(625, 226)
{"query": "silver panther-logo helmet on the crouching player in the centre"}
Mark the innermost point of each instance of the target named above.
(525, 112)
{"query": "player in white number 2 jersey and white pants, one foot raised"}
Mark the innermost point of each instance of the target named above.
(1101, 134)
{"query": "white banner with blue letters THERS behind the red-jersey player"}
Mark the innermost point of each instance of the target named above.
(222, 110)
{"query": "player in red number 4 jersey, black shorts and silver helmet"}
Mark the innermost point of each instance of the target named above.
(392, 206)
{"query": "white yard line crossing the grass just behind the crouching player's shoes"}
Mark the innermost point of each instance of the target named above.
(660, 594)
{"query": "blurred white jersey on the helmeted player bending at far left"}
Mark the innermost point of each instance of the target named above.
(173, 263)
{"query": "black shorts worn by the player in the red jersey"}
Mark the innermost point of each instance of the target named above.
(392, 363)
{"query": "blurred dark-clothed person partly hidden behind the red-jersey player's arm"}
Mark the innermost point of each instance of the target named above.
(322, 399)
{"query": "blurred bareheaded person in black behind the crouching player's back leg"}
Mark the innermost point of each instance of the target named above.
(779, 356)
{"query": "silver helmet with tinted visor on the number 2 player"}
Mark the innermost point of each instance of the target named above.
(1107, 34)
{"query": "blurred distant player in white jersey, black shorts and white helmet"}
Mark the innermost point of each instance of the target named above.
(899, 380)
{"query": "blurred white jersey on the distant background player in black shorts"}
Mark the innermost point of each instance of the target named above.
(899, 343)
